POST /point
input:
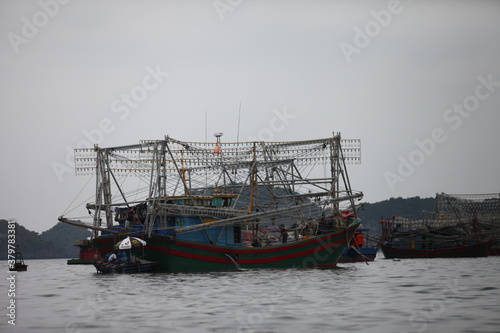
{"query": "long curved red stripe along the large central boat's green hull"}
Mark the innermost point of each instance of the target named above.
(244, 261)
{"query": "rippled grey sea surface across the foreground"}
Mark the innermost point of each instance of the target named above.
(422, 295)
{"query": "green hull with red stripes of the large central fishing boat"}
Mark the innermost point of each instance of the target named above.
(186, 256)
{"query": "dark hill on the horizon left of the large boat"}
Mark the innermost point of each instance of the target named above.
(56, 242)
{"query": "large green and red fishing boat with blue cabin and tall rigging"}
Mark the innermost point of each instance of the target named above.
(228, 206)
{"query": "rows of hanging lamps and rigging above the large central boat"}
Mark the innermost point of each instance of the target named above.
(171, 167)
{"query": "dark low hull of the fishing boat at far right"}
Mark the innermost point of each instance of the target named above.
(466, 251)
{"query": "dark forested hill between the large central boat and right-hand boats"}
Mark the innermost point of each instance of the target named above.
(372, 213)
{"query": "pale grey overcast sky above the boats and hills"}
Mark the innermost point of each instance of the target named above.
(417, 81)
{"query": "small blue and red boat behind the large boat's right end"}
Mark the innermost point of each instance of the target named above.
(360, 249)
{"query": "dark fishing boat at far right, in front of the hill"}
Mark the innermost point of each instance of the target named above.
(432, 238)
